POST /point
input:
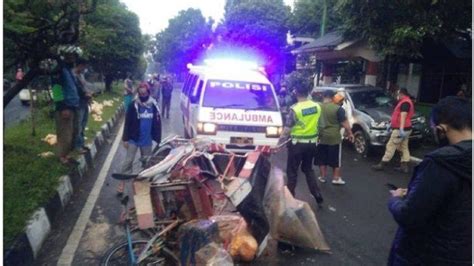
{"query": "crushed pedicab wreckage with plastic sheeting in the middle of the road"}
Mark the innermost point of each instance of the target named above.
(196, 203)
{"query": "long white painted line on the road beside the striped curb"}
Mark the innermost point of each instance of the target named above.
(67, 254)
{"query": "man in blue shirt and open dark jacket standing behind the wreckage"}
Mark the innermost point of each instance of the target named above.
(142, 127)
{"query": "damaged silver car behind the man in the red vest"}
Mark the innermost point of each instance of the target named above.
(369, 110)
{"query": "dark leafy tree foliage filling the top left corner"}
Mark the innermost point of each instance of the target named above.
(33, 30)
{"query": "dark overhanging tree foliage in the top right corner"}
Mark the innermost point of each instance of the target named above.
(401, 27)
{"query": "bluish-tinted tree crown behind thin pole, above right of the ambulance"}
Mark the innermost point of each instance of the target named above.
(307, 17)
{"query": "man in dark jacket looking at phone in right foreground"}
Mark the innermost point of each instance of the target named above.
(434, 214)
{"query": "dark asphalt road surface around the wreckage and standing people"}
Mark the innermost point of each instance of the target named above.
(355, 220)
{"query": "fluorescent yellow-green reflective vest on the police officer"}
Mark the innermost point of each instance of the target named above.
(307, 115)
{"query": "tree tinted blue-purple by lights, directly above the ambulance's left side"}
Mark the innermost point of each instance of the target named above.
(184, 40)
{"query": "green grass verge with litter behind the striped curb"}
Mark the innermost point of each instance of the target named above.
(30, 180)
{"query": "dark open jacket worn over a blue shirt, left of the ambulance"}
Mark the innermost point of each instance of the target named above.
(132, 121)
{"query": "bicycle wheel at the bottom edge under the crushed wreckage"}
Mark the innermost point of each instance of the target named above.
(118, 255)
